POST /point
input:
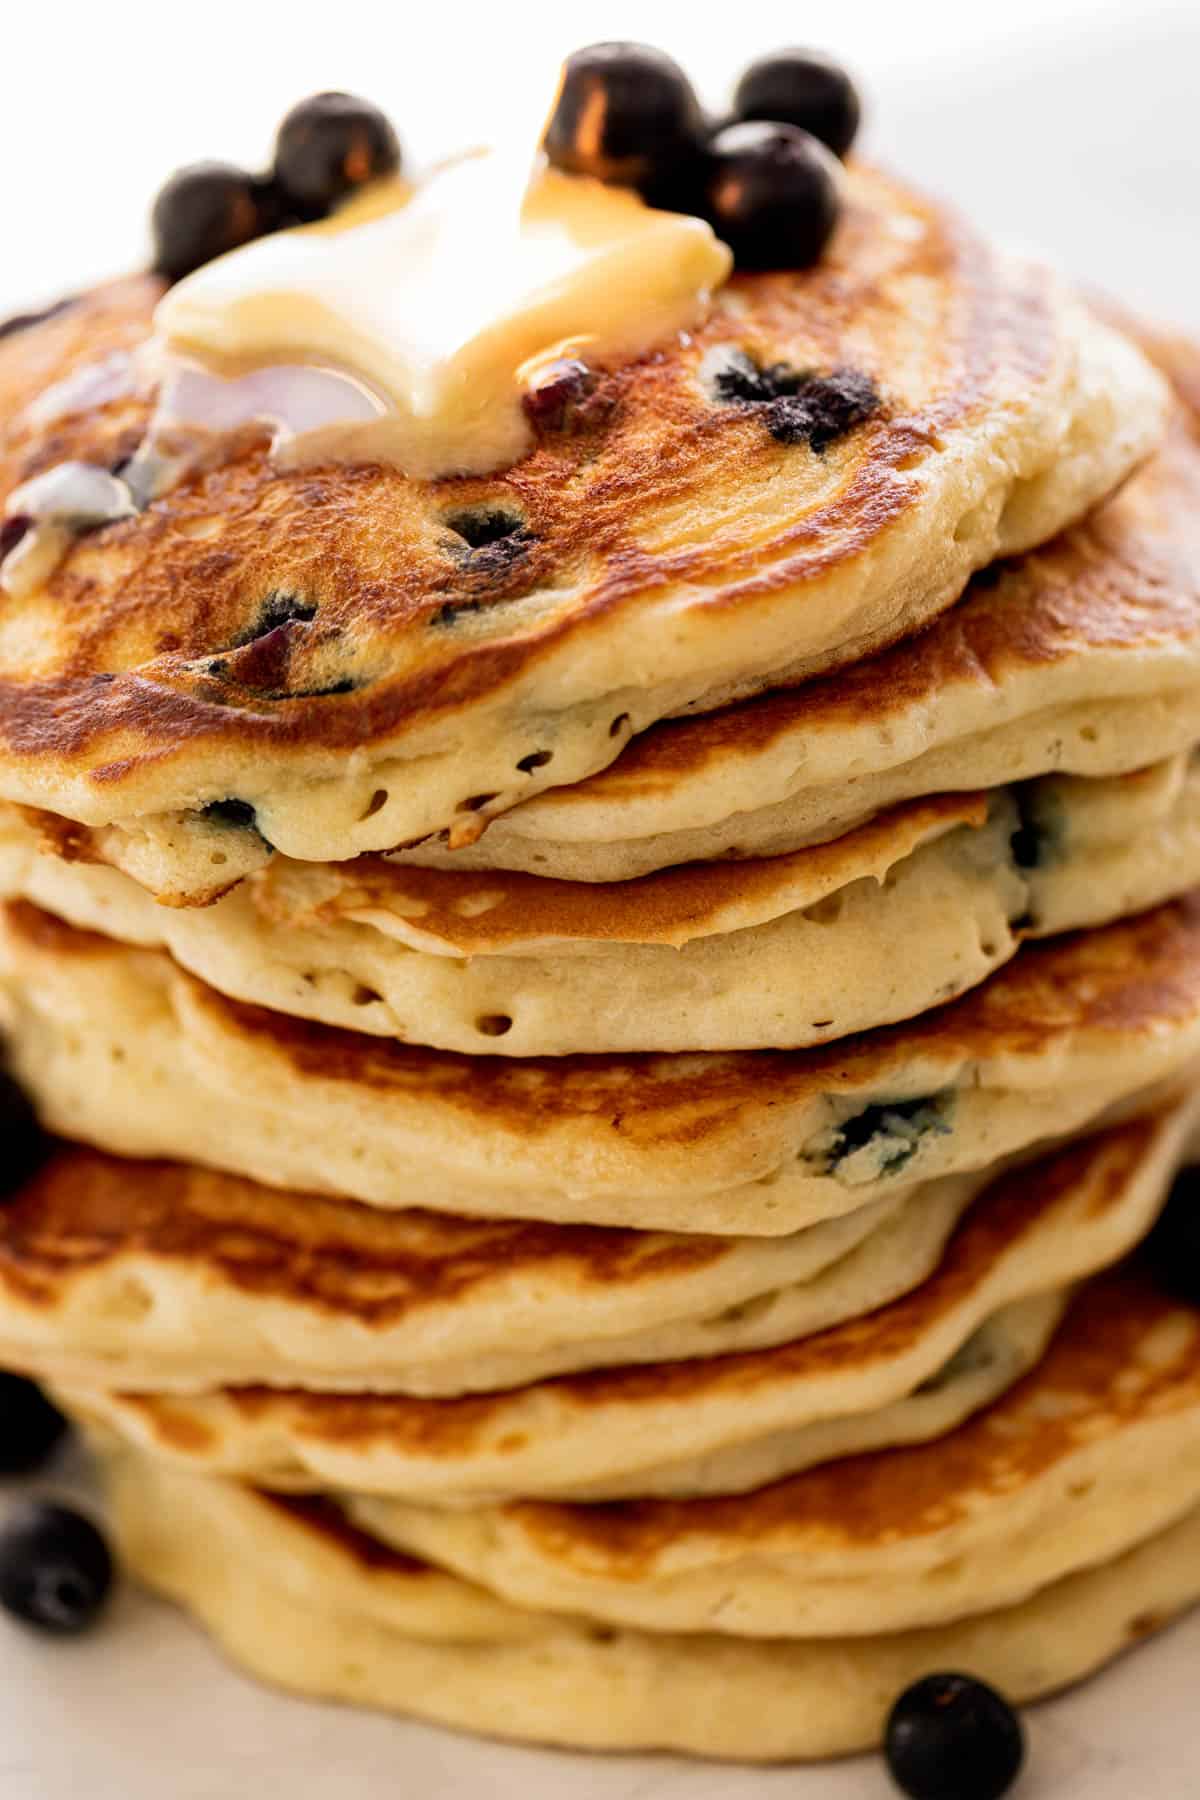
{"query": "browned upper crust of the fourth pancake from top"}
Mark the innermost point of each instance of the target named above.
(1136, 978)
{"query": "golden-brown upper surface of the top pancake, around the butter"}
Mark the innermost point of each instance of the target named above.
(154, 618)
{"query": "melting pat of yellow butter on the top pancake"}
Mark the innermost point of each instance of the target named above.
(427, 307)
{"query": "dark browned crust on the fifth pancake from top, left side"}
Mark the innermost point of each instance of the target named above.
(87, 1210)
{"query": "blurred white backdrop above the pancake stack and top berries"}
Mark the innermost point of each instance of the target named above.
(1064, 125)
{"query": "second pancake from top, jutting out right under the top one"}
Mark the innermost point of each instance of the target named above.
(1082, 658)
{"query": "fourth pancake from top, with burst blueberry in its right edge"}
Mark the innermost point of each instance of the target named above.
(123, 1050)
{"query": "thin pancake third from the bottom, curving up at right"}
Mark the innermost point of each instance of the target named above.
(717, 1426)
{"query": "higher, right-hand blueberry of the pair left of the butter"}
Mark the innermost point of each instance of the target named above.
(328, 147)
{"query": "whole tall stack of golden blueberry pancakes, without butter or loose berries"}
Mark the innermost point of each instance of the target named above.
(614, 1029)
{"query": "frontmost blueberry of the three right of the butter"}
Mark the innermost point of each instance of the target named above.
(773, 195)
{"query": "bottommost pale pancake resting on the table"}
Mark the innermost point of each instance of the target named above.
(307, 1605)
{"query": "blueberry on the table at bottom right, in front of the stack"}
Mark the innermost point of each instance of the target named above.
(953, 1738)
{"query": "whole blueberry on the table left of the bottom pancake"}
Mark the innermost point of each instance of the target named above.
(55, 1569)
